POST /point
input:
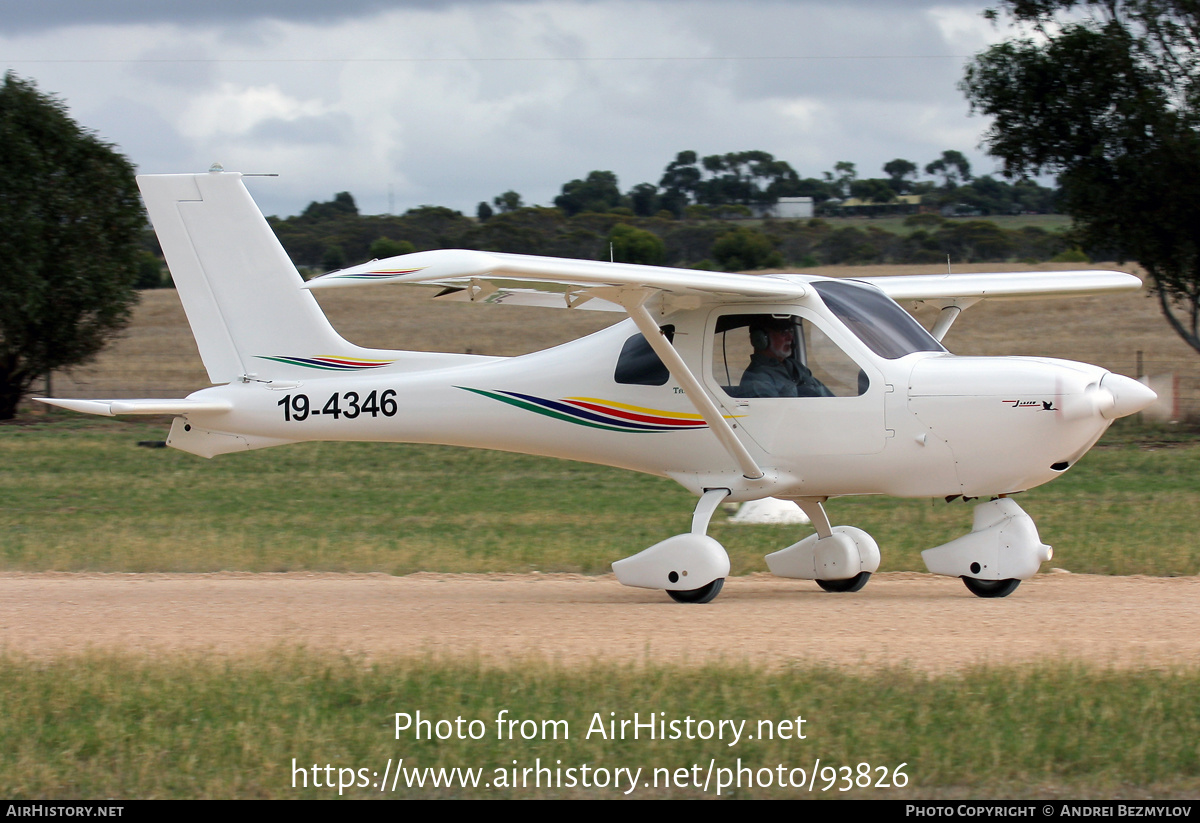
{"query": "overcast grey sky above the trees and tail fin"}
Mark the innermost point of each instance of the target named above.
(449, 104)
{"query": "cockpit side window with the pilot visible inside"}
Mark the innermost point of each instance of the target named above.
(782, 356)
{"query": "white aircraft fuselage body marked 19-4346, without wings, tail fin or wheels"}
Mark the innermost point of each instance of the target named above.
(926, 424)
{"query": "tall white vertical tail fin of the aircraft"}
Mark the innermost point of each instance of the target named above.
(242, 295)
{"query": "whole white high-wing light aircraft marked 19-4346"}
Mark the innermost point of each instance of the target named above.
(737, 387)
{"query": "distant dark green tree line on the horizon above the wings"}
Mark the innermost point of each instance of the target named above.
(694, 218)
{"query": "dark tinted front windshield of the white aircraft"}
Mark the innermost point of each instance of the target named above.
(889, 331)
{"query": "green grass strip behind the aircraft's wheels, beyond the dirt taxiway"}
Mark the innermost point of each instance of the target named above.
(80, 496)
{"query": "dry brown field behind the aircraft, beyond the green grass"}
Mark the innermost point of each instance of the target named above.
(158, 357)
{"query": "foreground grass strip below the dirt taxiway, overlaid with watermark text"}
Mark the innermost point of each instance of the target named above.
(110, 726)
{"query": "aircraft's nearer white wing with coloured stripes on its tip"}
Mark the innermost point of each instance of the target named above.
(529, 280)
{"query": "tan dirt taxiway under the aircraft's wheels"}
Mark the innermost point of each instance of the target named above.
(920, 621)
